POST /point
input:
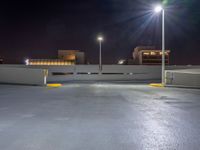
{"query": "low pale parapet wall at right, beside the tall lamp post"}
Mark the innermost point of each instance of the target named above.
(183, 78)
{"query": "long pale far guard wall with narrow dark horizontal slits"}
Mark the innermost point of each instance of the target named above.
(109, 73)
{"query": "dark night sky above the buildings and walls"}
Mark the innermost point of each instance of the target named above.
(36, 29)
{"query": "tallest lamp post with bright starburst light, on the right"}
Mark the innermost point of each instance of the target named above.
(159, 9)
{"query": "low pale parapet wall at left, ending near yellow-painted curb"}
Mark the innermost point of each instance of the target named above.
(26, 76)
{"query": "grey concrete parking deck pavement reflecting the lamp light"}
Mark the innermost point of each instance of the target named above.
(99, 116)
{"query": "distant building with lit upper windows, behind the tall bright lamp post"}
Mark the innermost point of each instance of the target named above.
(147, 55)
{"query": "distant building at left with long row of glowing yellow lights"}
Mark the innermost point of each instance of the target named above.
(65, 57)
